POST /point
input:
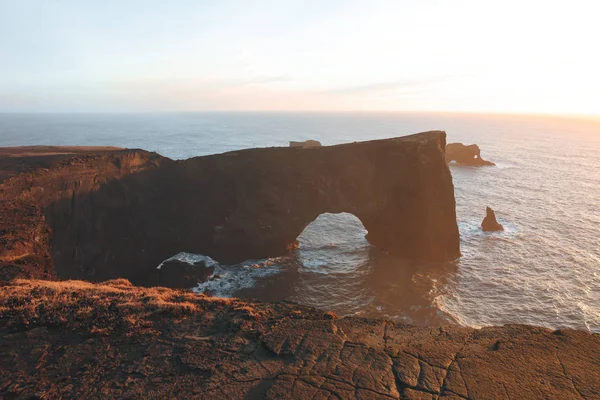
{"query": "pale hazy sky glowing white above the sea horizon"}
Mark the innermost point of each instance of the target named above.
(523, 56)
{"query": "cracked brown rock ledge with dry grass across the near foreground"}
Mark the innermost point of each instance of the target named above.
(79, 340)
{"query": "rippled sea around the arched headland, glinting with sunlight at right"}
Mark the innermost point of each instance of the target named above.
(544, 269)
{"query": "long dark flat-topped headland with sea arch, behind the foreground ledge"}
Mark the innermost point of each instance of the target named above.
(98, 215)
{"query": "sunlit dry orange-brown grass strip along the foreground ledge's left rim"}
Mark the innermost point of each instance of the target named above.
(104, 307)
